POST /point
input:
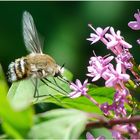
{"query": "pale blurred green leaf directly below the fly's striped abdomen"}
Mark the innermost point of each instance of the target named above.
(20, 94)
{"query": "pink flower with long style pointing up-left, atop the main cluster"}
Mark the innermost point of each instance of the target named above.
(99, 34)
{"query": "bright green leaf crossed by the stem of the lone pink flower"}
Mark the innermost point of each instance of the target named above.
(100, 94)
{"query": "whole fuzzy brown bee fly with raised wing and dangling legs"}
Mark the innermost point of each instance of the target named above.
(36, 65)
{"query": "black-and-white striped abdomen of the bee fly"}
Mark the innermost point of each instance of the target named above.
(17, 70)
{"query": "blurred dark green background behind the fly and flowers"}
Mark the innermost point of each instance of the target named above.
(64, 27)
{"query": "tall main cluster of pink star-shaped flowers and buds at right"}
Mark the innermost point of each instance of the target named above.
(101, 67)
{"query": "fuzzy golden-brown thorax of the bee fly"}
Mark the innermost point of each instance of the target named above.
(41, 65)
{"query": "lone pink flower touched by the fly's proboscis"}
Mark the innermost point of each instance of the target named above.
(78, 89)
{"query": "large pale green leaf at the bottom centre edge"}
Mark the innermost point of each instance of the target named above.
(59, 124)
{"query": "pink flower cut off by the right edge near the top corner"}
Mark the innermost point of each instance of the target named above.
(135, 25)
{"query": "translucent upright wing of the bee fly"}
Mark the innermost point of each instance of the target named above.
(30, 34)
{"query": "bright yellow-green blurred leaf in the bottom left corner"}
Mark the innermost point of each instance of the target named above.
(16, 124)
